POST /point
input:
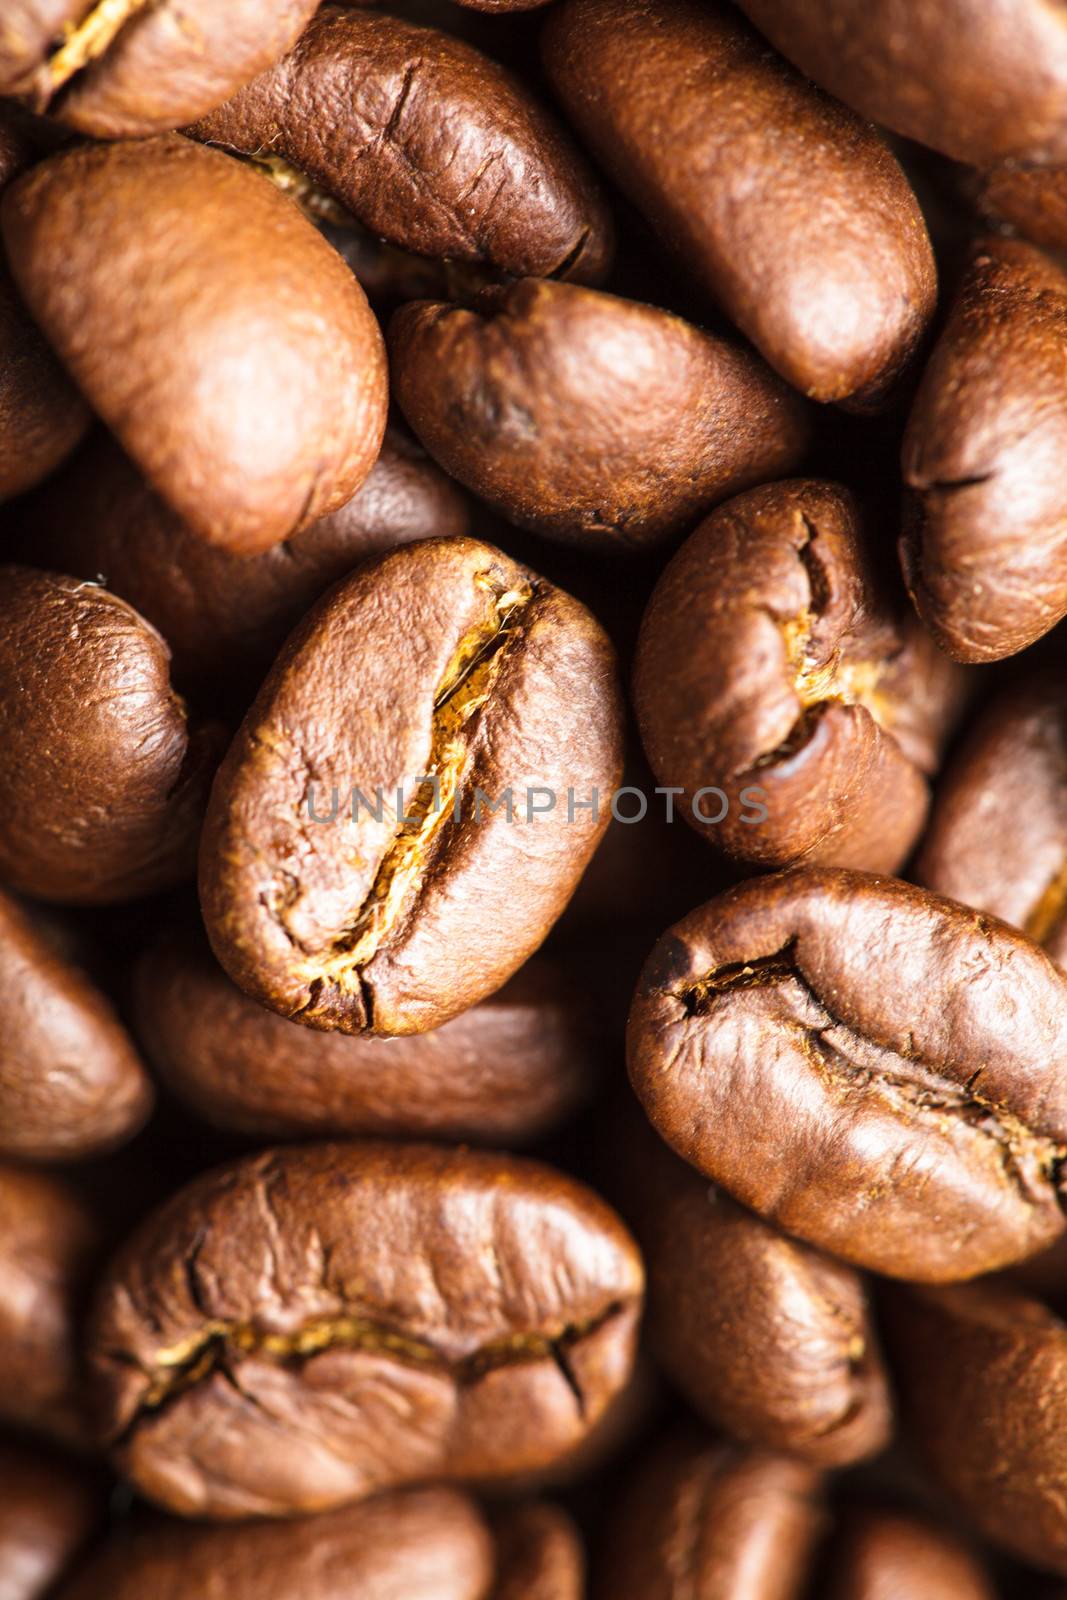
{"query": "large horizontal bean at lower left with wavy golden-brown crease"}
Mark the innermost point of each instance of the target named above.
(310, 1327)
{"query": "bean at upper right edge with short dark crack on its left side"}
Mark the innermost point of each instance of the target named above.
(985, 543)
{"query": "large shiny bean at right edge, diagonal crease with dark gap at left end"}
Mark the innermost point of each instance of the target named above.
(869, 1066)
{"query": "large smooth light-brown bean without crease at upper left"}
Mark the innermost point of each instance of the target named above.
(250, 388)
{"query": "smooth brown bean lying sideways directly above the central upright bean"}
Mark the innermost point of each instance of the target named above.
(589, 418)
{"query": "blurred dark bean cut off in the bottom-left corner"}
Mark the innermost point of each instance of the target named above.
(47, 1513)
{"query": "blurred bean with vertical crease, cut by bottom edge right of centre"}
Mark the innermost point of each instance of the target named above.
(713, 1522)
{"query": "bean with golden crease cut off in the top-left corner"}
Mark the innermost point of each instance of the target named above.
(151, 70)
